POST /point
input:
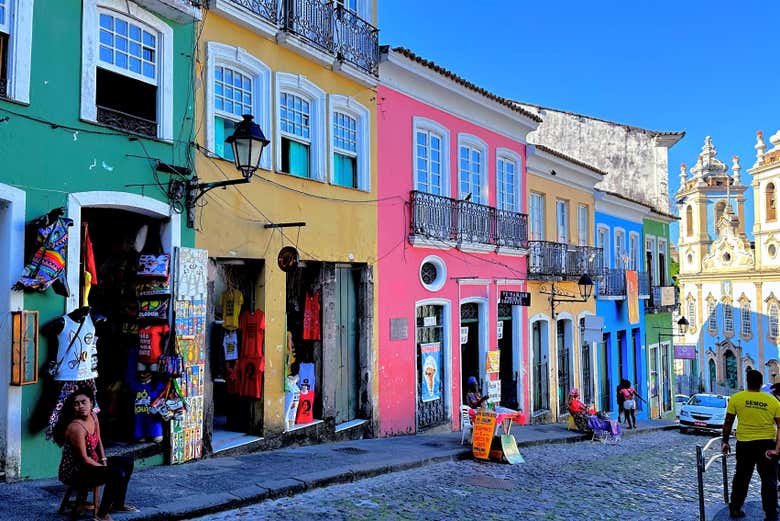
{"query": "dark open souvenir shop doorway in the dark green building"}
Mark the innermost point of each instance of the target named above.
(126, 302)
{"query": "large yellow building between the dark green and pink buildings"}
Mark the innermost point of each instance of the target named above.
(307, 70)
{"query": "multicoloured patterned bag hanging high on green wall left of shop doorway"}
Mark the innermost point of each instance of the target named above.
(48, 262)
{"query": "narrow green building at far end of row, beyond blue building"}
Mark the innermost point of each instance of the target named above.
(658, 315)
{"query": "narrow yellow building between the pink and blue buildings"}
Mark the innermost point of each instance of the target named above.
(561, 216)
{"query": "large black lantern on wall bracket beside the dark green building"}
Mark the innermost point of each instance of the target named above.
(248, 142)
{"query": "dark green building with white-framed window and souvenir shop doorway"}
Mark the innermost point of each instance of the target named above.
(96, 104)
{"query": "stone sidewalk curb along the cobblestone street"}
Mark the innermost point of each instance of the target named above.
(256, 493)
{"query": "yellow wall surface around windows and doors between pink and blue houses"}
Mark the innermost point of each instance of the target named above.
(540, 303)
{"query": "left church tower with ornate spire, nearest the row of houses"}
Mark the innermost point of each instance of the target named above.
(705, 202)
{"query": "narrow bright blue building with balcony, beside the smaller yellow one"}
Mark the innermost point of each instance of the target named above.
(621, 352)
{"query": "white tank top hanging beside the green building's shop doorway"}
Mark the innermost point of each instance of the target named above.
(77, 350)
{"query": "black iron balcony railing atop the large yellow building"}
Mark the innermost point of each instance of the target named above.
(324, 25)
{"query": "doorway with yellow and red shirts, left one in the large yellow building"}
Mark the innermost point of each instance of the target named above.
(235, 341)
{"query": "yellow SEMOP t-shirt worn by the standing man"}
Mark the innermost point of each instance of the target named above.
(756, 412)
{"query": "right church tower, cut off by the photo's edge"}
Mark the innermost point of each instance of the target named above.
(766, 183)
